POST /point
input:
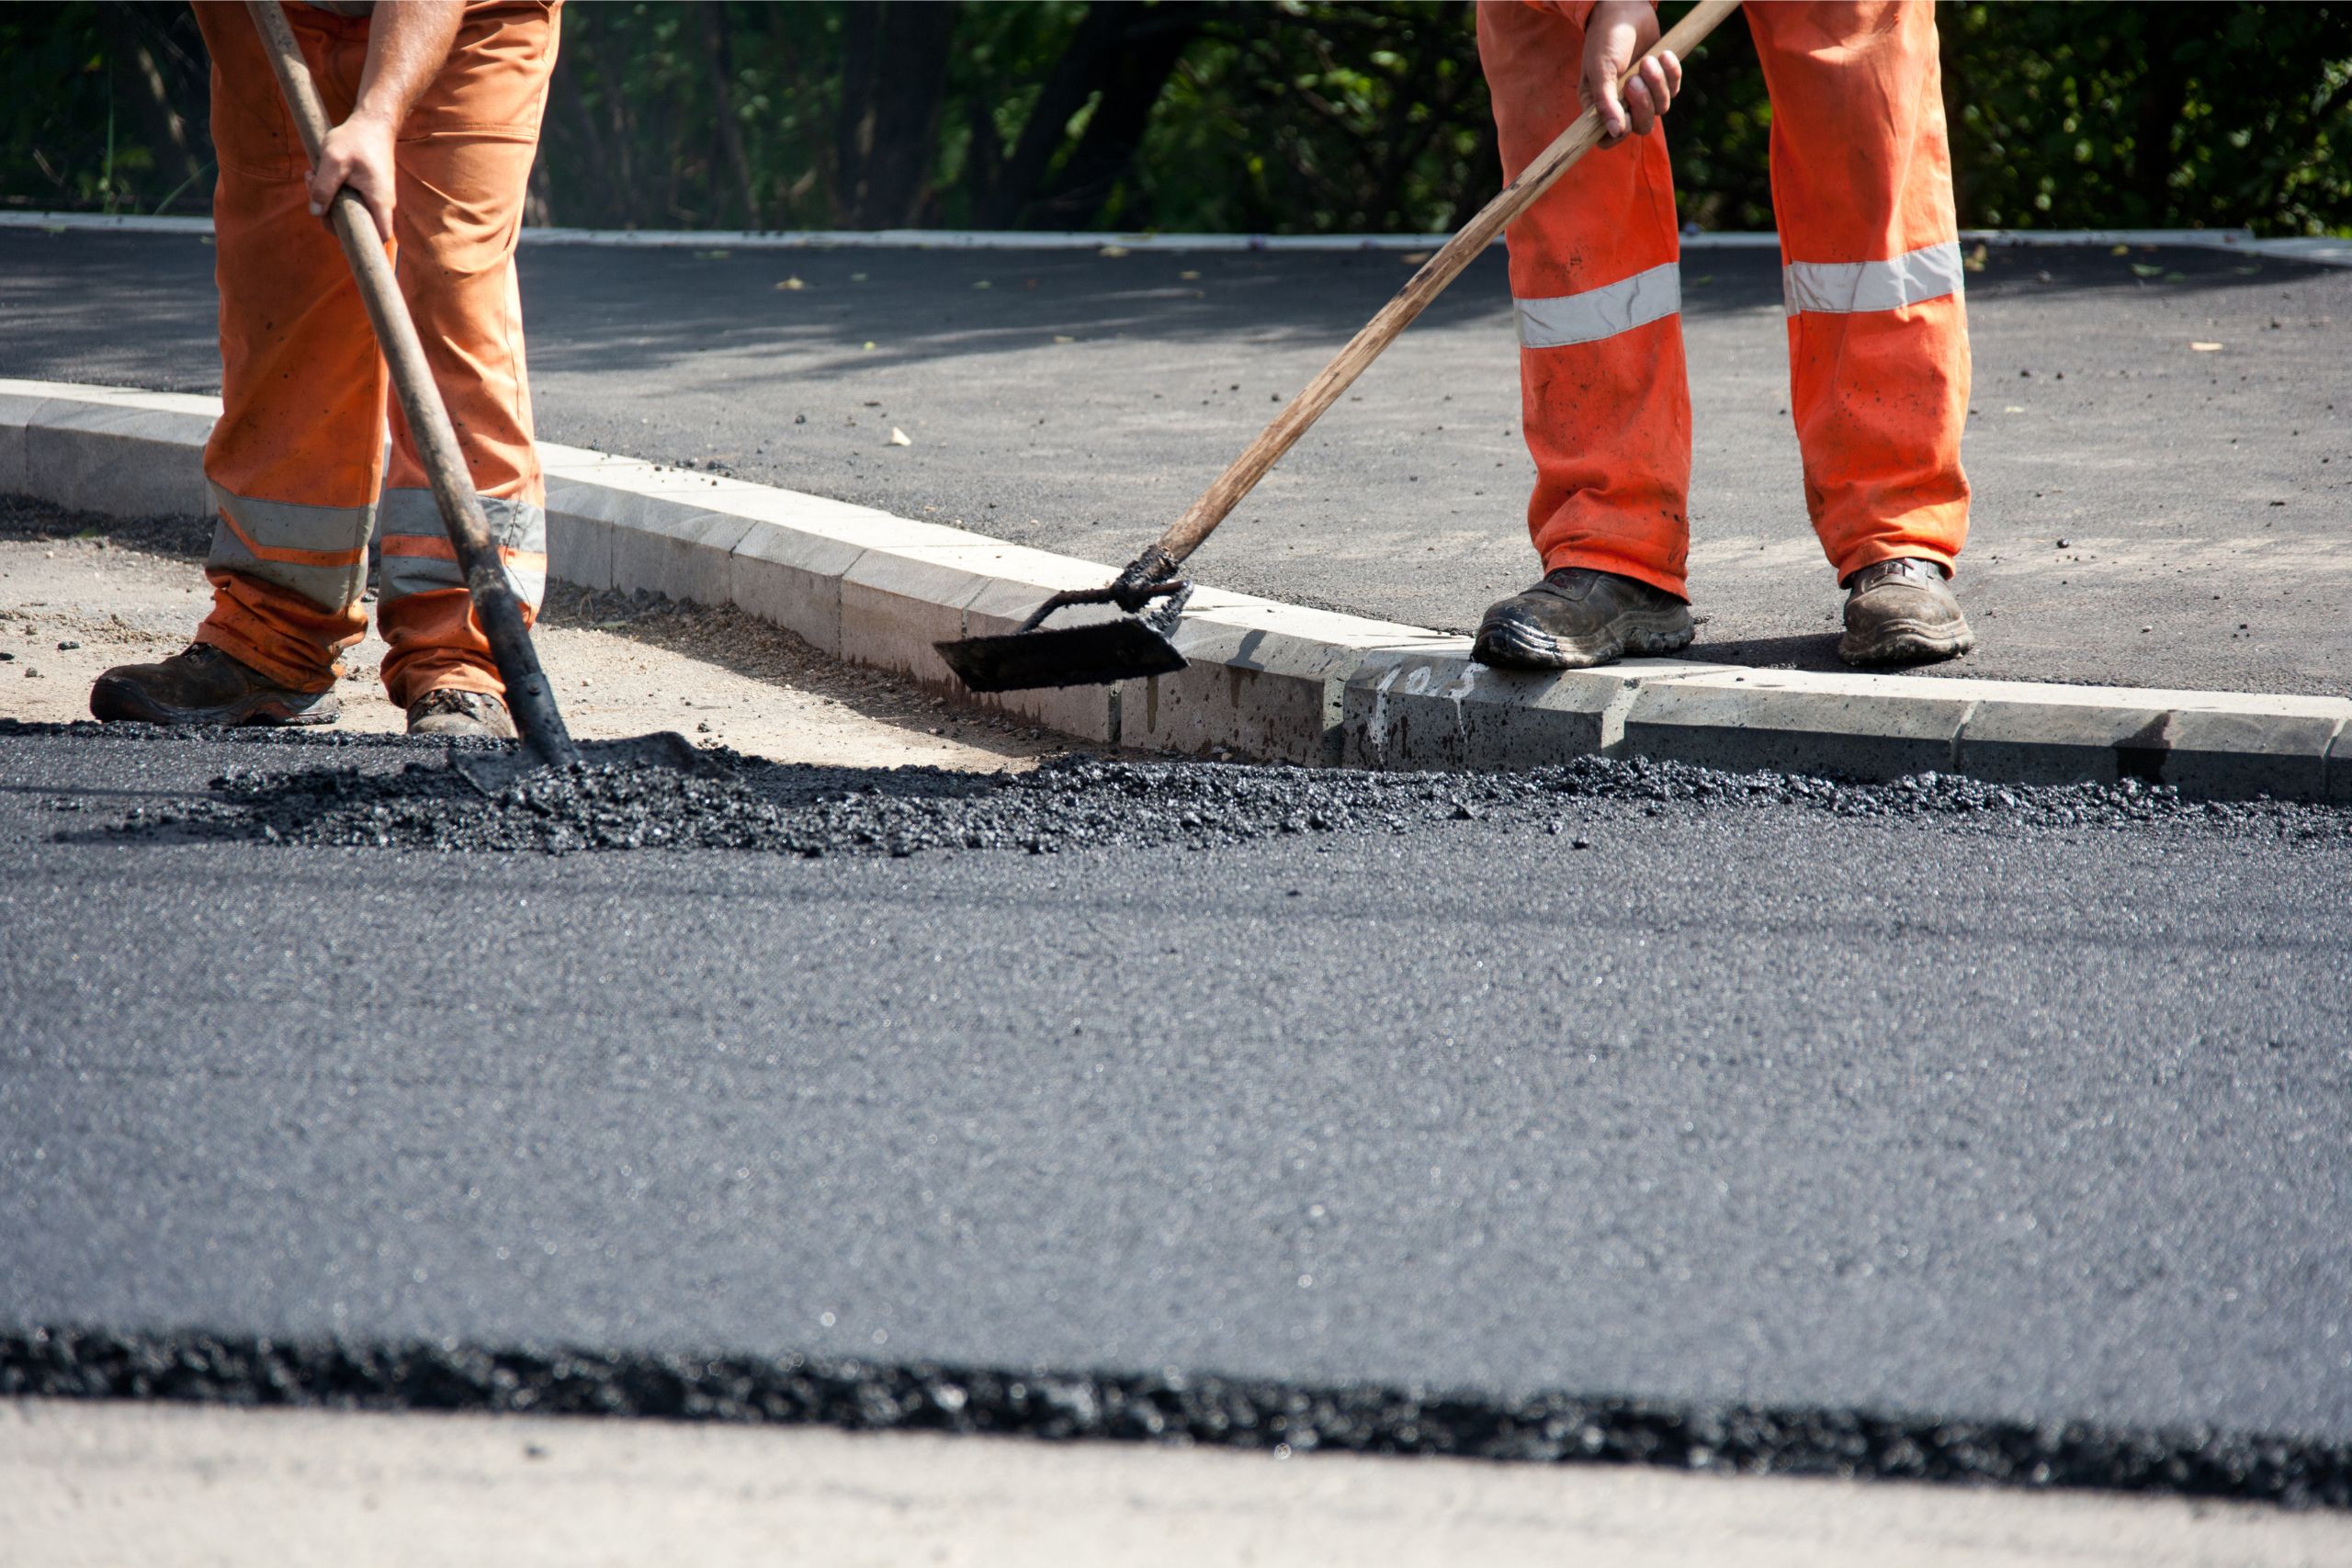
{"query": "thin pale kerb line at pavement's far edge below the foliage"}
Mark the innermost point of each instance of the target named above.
(2316, 250)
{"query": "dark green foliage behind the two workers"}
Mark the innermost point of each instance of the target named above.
(1227, 116)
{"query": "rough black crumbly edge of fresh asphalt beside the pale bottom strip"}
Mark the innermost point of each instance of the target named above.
(1170, 1407)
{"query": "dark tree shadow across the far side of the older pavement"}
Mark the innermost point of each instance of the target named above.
(923, 307)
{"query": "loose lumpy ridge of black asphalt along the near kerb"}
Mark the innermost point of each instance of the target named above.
(394, 793)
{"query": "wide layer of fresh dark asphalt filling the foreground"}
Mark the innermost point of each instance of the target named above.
(1831, 1111)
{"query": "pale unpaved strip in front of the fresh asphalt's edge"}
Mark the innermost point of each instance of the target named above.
(178, 1485)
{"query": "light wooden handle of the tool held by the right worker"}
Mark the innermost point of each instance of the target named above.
(1396, 316)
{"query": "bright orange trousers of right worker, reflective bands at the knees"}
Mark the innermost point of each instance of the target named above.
(1878, 337)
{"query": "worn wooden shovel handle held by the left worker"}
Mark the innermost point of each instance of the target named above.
(528, 692)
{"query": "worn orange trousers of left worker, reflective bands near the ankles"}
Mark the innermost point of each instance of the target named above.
(298, 460)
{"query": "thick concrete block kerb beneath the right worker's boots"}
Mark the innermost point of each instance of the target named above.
(1269, 681)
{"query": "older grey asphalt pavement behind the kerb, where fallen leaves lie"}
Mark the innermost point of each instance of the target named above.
(2149, 511)
